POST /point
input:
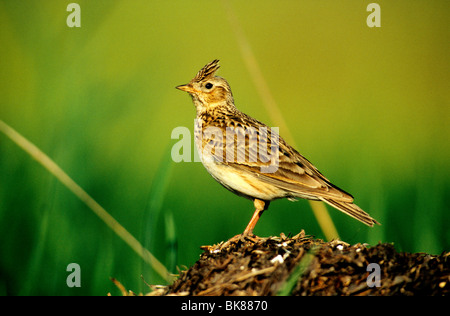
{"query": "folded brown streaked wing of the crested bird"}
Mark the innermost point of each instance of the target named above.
(281, 165)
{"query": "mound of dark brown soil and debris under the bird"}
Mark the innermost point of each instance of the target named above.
(302, 265)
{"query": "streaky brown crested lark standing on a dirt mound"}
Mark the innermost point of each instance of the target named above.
(250, 159)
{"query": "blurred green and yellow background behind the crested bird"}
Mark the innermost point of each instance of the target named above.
(368, 106)
